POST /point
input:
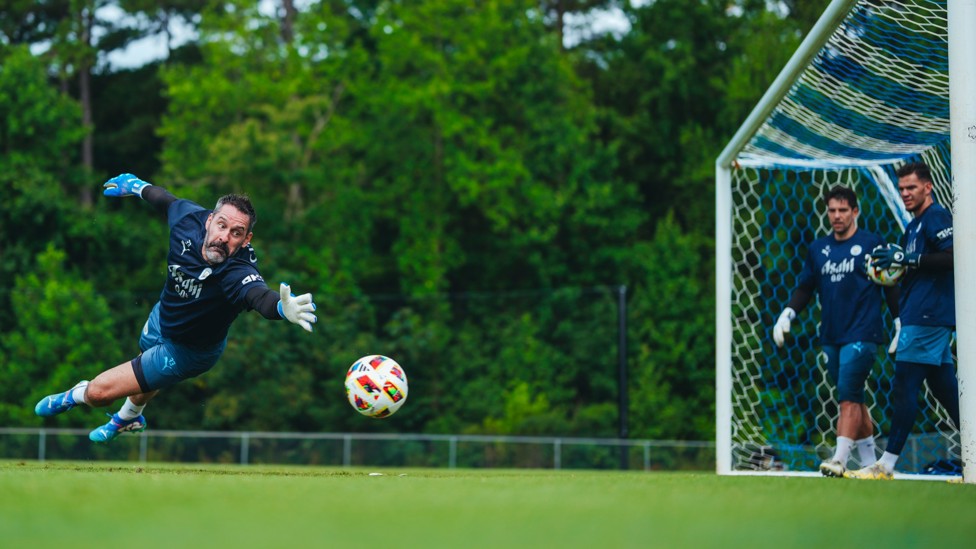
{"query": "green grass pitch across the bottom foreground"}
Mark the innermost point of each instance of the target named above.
(105, 505)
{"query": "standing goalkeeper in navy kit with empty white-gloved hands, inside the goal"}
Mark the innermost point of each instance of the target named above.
(850, 321)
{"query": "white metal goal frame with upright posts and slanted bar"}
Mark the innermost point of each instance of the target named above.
(962, 94)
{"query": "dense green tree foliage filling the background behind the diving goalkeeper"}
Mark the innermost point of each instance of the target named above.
(460, 185)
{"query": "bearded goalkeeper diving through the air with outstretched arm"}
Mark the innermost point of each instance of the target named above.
(212, 277)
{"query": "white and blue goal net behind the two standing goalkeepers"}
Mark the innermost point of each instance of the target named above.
(867, 91)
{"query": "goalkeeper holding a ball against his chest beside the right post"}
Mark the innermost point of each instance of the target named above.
(928, 314)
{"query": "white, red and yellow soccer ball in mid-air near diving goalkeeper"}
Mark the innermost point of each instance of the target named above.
(376, 386)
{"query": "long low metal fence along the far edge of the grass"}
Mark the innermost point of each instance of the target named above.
(361, 449)
